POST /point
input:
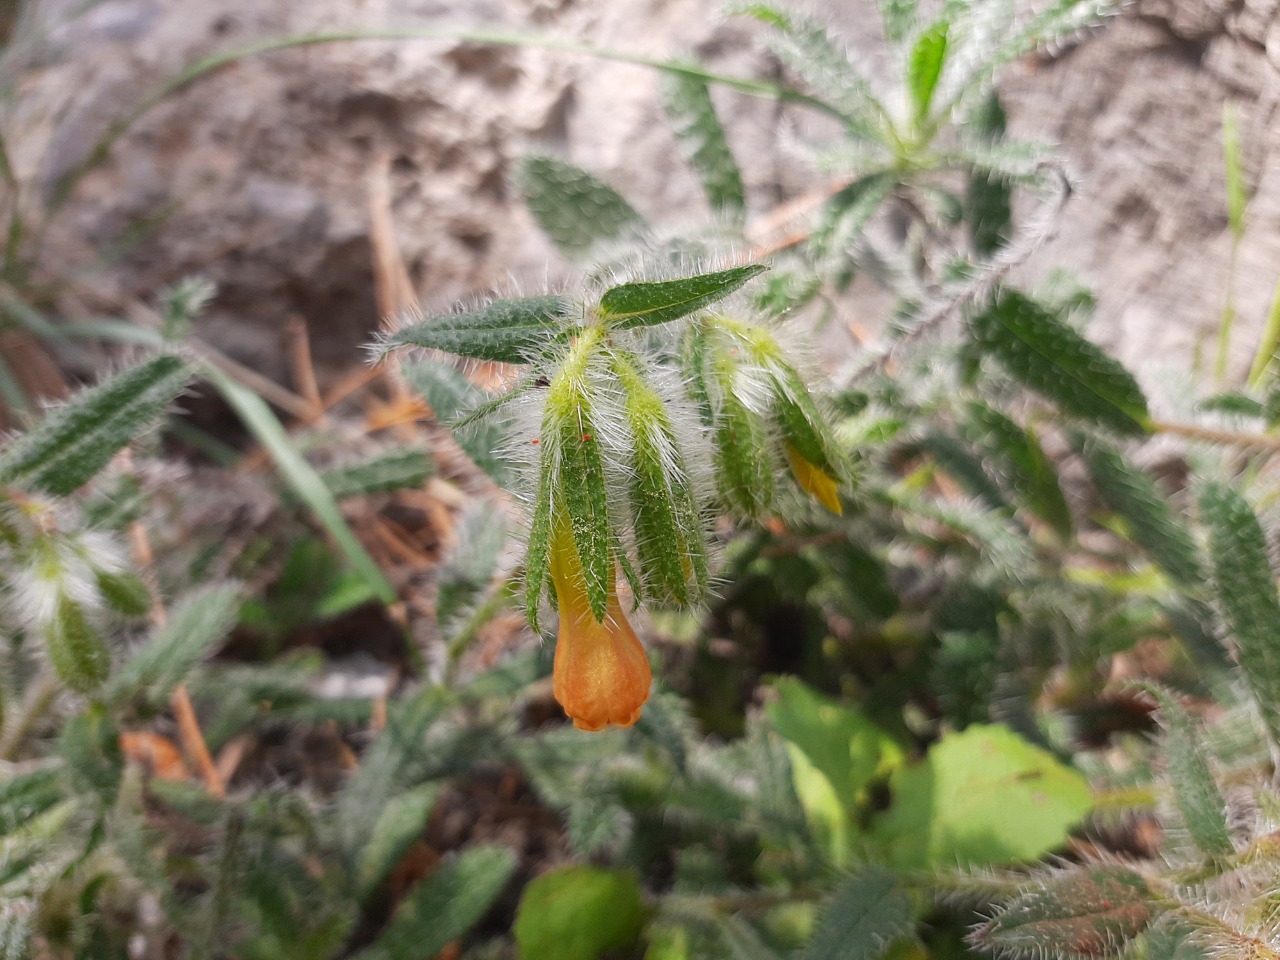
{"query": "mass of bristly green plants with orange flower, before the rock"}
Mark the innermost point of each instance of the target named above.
(890, 612)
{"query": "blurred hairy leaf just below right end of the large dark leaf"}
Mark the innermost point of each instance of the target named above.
(1135, 497)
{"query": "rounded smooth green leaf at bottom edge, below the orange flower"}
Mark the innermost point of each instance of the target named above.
(578, 913)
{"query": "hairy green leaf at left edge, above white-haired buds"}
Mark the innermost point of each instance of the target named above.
(77, 440)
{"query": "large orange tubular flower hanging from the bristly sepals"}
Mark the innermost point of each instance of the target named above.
(602, 675)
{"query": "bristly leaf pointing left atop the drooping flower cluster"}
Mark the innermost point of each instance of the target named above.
(506, 331)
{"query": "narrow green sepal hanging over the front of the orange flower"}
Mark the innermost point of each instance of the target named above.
(582, 482)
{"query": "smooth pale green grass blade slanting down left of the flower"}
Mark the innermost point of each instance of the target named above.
(301, 477)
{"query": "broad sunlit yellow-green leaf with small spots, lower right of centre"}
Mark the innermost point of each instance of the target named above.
(981, 797)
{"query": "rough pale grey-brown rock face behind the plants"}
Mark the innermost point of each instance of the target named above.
(259, 176)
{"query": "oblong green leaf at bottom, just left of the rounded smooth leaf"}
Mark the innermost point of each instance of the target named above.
(445, 906)
